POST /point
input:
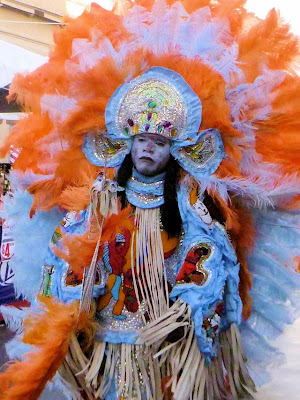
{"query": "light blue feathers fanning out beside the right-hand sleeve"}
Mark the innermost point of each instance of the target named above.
(276, 288)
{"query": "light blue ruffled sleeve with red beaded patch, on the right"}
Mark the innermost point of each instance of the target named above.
(207, 278)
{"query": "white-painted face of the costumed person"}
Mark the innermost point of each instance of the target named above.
(150, 153)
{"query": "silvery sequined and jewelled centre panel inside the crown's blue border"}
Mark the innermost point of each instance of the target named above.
(153, 106)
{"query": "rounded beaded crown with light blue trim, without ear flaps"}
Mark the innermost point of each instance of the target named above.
(160, 101)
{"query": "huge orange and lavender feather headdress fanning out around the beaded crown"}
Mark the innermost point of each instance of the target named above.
(240, 67)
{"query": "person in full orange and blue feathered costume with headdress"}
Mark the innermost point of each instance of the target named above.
(159, 128)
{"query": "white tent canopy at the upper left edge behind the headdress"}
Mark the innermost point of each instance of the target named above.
(16, 59)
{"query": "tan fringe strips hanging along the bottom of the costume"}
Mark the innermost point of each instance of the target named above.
(138, 370)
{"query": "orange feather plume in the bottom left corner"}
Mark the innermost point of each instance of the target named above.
(50, 331)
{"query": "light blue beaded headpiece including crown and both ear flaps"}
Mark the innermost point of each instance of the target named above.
(158, 102)
